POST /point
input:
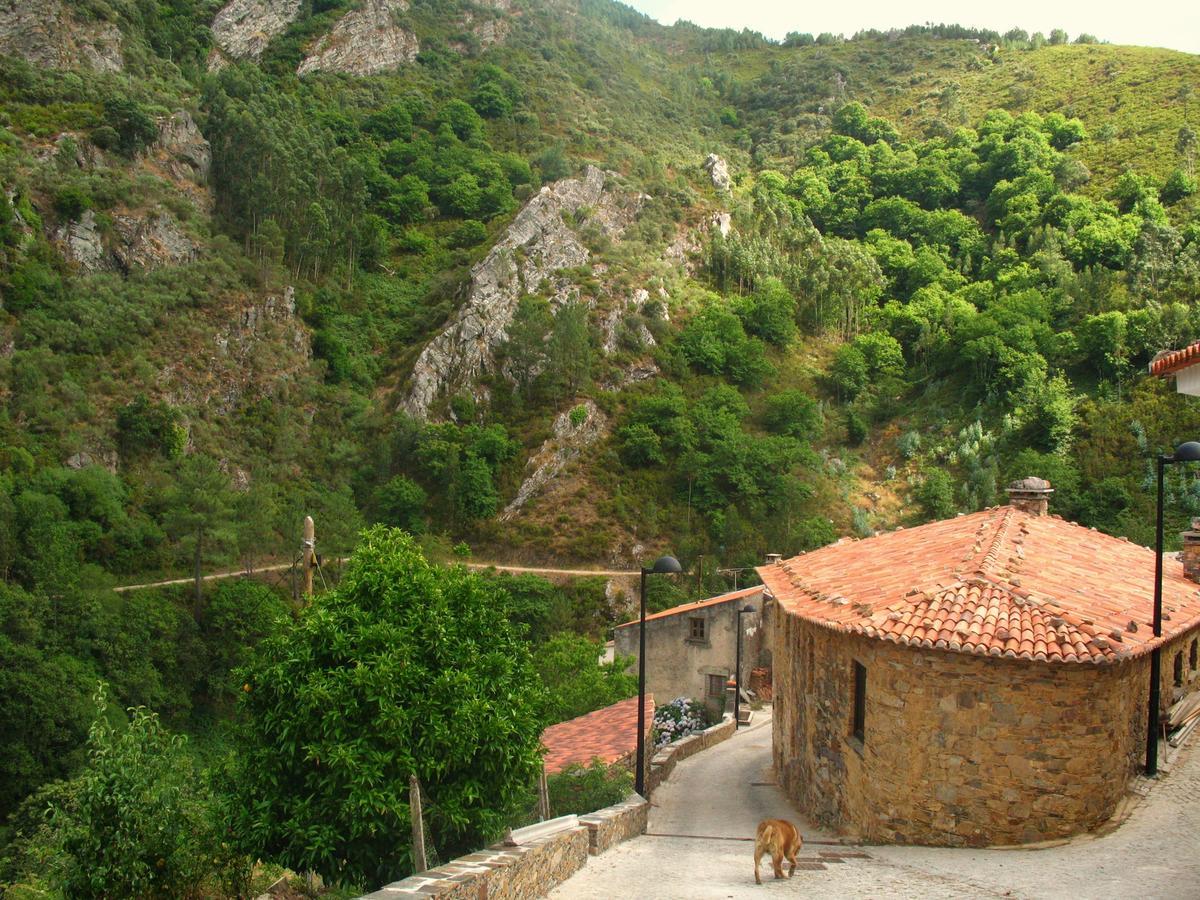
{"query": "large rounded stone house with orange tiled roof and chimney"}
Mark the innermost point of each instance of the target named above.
(976, 681)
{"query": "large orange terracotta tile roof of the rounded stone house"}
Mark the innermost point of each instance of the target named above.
(1003, 583)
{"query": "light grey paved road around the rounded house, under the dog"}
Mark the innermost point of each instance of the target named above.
(699, 845)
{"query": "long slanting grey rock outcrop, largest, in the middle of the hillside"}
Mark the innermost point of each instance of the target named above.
(538, 244)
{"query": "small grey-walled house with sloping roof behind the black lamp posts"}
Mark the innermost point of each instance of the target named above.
(692, 650)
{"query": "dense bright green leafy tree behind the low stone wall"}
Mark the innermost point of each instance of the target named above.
(405, 669)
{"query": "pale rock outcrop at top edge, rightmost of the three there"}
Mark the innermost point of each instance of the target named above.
(364, 41)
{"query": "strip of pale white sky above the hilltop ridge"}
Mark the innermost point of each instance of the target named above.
(1150, 23)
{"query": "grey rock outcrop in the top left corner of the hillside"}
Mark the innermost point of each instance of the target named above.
(46, 34)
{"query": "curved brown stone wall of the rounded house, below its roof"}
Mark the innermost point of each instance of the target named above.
(958, 751)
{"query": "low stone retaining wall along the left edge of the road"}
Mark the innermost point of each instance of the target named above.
(535, 868)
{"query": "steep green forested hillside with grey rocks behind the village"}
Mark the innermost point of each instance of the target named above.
(545, 280)
